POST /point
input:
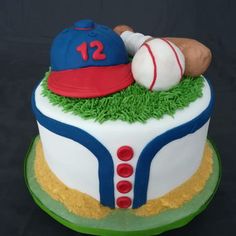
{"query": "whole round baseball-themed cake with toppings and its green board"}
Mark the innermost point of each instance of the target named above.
(111, 147)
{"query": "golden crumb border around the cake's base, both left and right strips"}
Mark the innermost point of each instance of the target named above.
(86, 206)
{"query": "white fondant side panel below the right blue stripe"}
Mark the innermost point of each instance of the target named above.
(179, 165)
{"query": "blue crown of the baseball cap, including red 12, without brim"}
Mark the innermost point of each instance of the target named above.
(87, 44)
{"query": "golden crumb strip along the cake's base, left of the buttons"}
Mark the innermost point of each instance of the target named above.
(76, 202)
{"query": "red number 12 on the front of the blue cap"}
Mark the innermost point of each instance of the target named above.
(97, 54)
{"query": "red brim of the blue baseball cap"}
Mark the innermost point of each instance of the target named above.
(90, 81)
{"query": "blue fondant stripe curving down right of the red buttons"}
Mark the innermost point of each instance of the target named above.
(154, 146)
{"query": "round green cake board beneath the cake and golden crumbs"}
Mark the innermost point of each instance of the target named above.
(122, 222)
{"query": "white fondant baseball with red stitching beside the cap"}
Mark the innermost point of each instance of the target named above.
(158, 65)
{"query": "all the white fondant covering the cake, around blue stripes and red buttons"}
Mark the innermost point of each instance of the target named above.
(77, 167)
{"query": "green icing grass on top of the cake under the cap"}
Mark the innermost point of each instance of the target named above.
(133, 104)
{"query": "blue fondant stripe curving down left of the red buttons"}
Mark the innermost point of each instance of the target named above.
(105, 163)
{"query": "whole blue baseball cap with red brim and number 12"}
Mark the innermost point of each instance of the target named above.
(88, 60)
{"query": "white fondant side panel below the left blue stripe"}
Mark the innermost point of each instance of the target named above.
(71, 162)
